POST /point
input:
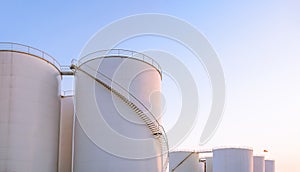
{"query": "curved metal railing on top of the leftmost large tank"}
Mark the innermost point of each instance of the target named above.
(16, 47)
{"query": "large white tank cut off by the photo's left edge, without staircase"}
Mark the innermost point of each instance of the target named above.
(30, 112)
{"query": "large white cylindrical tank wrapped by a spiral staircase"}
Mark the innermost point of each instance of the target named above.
(109, 134)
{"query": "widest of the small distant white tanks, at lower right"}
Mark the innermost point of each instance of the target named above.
(232, 160)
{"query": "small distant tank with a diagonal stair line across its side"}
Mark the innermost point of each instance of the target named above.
(184, 161)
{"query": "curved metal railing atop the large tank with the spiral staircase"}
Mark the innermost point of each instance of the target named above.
(120, 53)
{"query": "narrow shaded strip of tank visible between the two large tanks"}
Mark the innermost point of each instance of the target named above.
(66, 133)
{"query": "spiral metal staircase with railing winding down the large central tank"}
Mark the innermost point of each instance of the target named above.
(150, 120)
